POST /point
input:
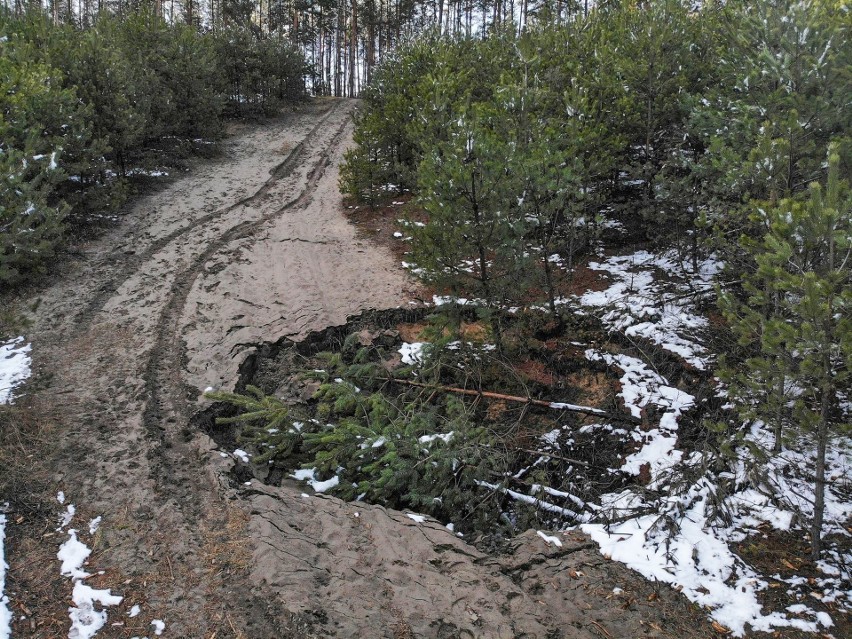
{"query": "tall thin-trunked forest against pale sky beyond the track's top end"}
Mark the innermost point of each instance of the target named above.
(344, 41)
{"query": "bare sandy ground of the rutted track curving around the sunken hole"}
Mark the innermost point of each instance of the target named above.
(245, 249)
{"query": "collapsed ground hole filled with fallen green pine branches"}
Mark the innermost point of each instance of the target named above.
(449, 436)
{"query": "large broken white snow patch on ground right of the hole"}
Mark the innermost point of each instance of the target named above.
(681, 543)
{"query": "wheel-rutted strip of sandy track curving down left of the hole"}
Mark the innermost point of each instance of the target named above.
(124, 450)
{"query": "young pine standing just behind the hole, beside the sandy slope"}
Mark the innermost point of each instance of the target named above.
(473, 240)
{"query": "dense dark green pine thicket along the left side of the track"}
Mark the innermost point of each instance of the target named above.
(81, 110)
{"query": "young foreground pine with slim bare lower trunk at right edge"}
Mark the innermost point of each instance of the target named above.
(800, 309)
